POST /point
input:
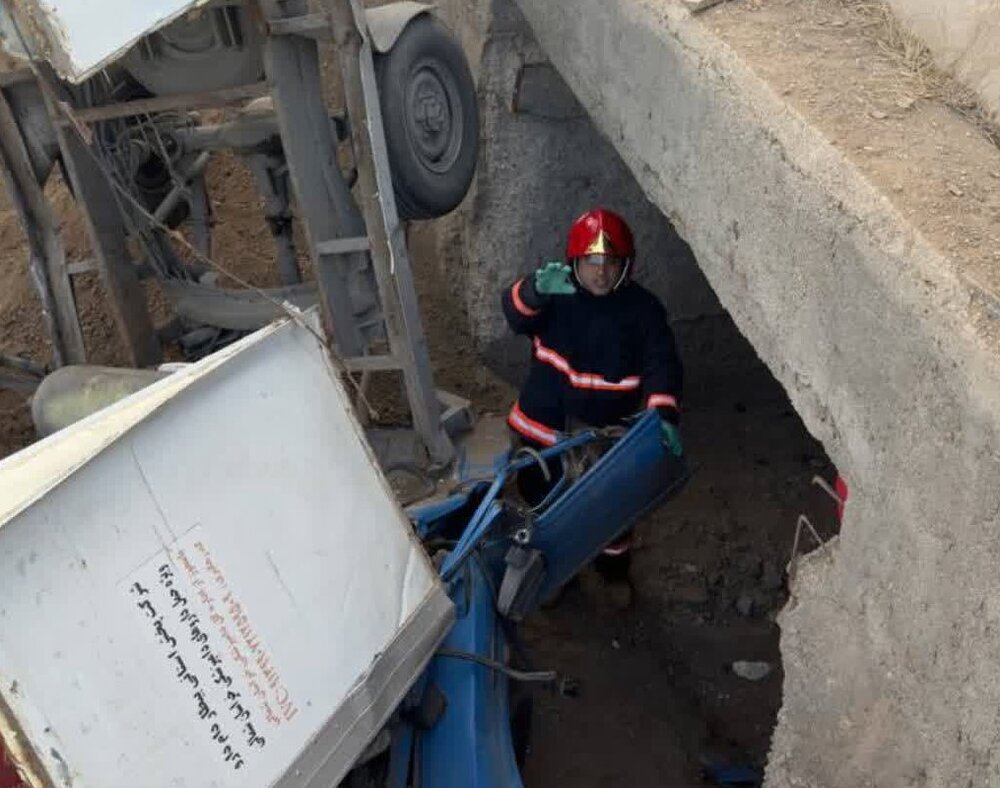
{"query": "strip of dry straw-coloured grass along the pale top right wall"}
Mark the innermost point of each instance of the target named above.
(920, 76)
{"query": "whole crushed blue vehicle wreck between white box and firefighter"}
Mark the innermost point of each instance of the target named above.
(463, 724)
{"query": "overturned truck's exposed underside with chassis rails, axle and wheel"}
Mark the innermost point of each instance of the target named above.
(130, 114)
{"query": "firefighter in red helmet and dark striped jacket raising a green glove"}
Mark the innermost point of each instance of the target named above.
(602, 350)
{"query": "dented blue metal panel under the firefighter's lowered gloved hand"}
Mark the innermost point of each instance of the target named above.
(636, 475)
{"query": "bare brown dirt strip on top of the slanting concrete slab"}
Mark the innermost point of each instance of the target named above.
(852, 70)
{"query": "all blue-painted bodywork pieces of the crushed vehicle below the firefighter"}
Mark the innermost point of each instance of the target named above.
(470, 745)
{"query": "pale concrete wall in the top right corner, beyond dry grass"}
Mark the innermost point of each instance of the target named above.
(964, 36)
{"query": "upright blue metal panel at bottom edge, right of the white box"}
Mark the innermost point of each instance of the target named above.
(470, 746)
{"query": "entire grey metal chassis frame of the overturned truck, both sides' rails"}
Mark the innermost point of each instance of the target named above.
(356, 253)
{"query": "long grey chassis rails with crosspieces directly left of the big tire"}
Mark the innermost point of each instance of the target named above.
(337, 233)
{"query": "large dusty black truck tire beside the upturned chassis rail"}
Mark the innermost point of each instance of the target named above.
(431, 119)
